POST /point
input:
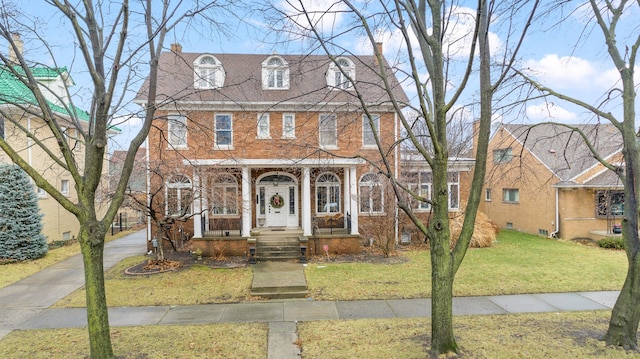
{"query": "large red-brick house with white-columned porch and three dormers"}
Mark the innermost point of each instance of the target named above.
(247, 143)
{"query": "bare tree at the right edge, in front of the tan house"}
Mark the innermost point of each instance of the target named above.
(609, 17)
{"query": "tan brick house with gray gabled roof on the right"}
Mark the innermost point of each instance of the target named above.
(543, 180)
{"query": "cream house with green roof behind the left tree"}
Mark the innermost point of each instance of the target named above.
(17, 101)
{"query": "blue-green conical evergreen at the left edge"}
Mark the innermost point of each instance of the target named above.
(21, 235)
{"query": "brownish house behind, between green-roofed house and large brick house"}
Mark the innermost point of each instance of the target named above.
(132, 211)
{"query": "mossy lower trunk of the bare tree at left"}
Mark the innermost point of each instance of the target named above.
(91, 238)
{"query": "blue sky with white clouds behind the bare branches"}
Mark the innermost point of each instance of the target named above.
(569, 56)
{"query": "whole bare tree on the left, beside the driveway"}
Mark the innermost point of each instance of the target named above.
(114, 41)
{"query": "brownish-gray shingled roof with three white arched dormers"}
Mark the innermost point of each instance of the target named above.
(243, 82)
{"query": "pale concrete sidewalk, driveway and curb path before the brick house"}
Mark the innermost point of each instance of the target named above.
(25, 304)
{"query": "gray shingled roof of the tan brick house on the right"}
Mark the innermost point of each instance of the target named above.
(564, 151)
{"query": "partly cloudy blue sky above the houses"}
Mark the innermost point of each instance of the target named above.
(568, 56)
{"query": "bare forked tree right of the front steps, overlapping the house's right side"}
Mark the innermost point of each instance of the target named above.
(430, 33)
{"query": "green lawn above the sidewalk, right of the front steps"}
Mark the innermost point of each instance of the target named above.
(517, 263)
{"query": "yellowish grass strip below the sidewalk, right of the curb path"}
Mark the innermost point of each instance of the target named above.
(547, 335)
